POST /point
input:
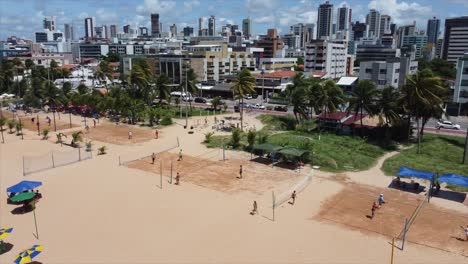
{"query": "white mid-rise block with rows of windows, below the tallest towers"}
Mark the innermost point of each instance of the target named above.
(326, 56)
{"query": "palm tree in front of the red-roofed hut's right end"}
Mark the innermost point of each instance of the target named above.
(364, 97)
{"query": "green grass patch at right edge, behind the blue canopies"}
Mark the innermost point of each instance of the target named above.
(439, 153)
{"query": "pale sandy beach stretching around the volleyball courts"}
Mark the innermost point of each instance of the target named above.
(96, 211)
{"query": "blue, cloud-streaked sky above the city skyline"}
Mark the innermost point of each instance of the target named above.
(24, 17)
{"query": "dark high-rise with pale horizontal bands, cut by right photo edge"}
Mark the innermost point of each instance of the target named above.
(455, 38)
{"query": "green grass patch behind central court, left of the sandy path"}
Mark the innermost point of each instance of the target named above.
(334, 153)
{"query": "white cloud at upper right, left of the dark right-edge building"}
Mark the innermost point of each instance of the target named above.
(403, 12)
